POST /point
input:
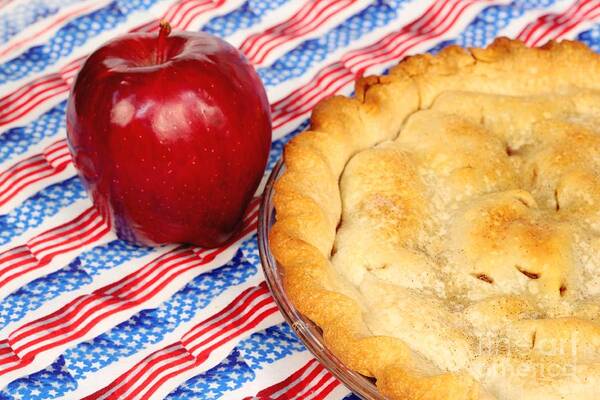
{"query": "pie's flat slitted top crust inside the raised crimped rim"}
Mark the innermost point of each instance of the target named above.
(474, 237)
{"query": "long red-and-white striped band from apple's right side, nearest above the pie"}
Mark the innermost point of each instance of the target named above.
(437, 20)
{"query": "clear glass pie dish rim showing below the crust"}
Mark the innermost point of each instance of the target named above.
(307, 331)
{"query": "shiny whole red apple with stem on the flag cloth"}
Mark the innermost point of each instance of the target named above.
(170, 134)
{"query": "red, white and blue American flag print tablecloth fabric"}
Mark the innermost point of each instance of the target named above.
(86, 315)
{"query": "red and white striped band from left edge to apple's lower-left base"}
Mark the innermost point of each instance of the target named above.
(21, 264)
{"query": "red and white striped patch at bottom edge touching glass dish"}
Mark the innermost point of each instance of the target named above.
(311, 382)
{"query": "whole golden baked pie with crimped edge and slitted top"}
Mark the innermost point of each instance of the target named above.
(443, 226)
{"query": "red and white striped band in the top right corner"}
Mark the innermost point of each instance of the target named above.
(557, 26)
